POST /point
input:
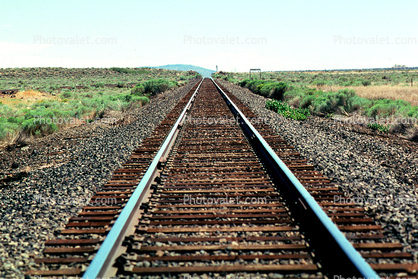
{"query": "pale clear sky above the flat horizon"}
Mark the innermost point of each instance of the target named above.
(235, 35)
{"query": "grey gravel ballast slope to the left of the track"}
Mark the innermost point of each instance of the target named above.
(57, 175)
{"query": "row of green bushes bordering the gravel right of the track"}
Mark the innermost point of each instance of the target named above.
(298, 103)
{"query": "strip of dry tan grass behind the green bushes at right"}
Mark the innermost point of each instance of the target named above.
(395, 92)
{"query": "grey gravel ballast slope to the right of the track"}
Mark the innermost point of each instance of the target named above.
(380, 172)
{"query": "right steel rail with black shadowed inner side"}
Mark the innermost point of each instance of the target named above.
(338, 256)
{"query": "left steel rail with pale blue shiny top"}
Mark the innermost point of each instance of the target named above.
(106, 254)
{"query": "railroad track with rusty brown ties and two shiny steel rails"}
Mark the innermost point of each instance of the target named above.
(207, 194)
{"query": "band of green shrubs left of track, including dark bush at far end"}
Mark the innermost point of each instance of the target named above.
(75, 106)
